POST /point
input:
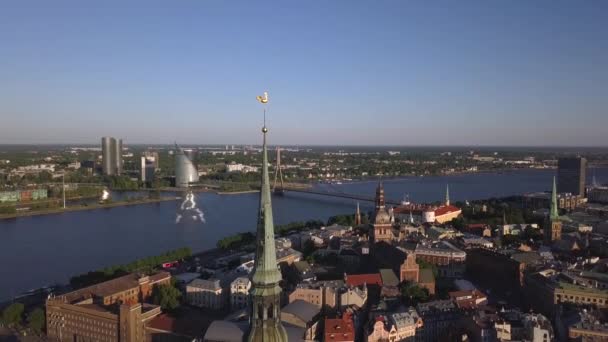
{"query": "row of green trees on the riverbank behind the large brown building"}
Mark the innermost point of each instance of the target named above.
(145, 265)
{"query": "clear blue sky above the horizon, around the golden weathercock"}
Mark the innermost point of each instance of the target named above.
(338, 72)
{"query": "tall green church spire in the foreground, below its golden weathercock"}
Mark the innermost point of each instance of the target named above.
(265, 313)
